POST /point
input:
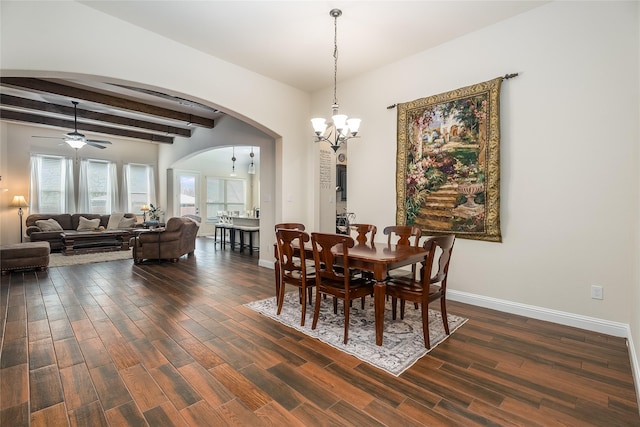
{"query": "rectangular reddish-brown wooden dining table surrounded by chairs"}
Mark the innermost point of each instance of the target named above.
(378, 259)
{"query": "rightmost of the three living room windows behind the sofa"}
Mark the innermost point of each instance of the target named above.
(138, 186)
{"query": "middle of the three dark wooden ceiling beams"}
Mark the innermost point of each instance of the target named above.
(30, 104)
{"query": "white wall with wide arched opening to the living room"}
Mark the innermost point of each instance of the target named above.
(113, 51)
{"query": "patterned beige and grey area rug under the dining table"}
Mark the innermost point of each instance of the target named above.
(403, 343)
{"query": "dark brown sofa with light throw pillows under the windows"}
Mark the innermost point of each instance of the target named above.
(41, 228)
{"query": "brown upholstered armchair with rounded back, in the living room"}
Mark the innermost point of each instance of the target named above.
(177, 239)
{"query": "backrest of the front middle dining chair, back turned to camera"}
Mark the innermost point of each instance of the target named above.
(329, 266)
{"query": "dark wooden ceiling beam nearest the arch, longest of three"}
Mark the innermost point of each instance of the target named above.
(45, 86)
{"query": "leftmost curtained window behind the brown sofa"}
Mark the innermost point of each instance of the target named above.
(51, 189)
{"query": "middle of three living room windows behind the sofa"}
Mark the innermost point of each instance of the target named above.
(98, 187)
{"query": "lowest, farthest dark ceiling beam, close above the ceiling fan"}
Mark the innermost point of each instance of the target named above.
(69, 124)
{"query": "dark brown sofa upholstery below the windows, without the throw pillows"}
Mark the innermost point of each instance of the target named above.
(68, 222)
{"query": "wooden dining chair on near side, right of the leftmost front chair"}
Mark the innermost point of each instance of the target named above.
(330, 277)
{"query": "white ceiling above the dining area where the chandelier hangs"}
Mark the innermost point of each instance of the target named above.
(292, 41)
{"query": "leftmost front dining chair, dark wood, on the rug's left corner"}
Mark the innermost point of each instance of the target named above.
(293, 267)
